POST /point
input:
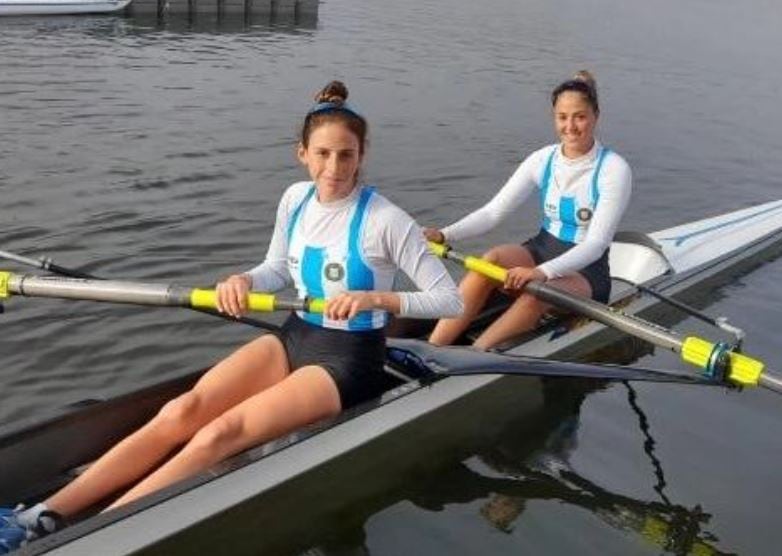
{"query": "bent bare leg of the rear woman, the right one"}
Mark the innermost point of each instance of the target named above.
(526, 311)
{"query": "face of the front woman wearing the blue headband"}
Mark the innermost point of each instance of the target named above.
(333, 159)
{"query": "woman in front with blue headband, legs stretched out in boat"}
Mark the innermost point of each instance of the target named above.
(334, 238)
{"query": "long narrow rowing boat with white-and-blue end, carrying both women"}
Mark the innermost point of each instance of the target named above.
(42, 454)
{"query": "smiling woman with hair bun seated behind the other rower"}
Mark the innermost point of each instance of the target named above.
(584, 190)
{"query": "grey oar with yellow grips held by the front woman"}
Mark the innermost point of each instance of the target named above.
(140, 293)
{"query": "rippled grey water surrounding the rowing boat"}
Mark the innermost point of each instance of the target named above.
(157, 150)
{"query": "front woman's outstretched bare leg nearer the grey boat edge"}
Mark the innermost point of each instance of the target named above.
(305, 396)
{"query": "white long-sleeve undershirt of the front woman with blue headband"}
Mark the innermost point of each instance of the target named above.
(390, 240)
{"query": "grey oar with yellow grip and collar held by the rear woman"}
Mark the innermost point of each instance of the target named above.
(717, 361)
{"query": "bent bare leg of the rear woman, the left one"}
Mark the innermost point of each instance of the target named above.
(476, 289)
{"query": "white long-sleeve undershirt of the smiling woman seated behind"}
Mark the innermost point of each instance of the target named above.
(570, 176)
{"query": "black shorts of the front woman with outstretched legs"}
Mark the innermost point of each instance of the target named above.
(354, 359)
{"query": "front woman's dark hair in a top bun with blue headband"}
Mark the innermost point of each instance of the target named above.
(331, 106)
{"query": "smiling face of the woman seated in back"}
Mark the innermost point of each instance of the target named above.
(575, 120)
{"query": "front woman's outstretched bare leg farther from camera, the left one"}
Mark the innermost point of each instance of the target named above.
(255, 366)
